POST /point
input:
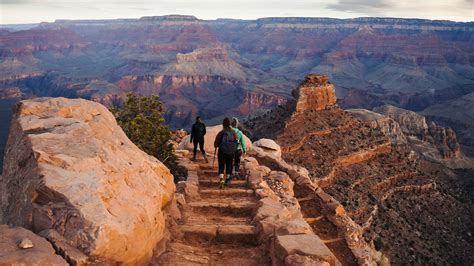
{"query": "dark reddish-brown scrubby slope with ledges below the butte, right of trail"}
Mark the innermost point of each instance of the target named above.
(394, 194)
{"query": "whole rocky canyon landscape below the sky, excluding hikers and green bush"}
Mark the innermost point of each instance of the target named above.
(369, 162)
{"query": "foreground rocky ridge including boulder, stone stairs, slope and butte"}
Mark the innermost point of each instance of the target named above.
(326, 186)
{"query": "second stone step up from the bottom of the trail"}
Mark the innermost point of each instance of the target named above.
(234, 208)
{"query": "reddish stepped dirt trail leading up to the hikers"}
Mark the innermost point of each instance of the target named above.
(217, 228)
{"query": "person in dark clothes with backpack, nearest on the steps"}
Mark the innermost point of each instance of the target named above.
(226, 141)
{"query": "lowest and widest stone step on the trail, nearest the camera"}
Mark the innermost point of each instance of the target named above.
(228, 234)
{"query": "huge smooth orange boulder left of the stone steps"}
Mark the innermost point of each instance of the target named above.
(69, 167)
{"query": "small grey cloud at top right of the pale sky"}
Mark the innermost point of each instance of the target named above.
(370, 7)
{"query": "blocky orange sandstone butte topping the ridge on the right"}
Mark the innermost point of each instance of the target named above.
(315, 93)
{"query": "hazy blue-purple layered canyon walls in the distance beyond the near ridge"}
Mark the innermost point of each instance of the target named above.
(195, 65)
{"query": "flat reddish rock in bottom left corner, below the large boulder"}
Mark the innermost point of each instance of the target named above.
(41, 252)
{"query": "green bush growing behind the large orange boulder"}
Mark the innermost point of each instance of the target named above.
(142, 119)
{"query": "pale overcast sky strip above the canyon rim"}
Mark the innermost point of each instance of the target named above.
(27, 11)
